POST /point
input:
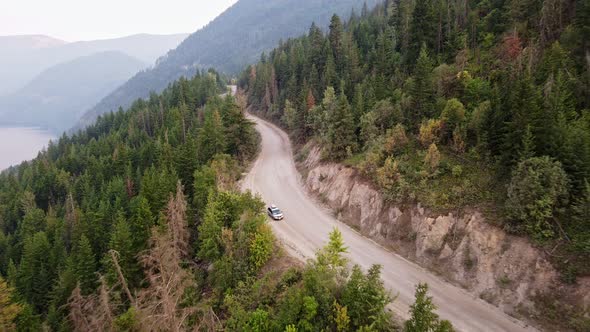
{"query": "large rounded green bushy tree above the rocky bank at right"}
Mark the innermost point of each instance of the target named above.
(537, 192)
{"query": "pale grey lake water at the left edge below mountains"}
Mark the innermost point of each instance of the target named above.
(20, 144)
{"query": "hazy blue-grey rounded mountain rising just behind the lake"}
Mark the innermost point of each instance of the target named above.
(56, 98)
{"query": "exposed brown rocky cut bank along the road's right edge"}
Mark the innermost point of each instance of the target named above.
(504, 270)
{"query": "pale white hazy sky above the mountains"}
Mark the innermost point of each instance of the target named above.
(74, 20)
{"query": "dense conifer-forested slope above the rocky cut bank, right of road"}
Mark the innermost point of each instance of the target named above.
(451, 104)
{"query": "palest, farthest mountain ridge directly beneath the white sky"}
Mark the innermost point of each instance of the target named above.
(24, 57)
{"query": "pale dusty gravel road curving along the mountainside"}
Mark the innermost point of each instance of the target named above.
(306, 227)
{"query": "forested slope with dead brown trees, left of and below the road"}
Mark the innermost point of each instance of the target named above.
(136, 224)
